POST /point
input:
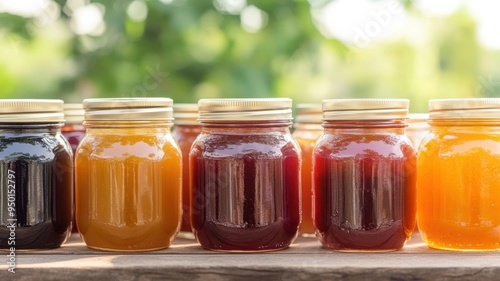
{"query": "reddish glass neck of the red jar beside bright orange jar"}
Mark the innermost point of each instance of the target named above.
(366, 126)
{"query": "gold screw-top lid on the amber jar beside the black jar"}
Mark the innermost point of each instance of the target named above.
(128, 109)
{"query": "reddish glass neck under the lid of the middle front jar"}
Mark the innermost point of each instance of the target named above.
(245, 128)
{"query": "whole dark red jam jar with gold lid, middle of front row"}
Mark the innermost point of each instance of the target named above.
(245, 175)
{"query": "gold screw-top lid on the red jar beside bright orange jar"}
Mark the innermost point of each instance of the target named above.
(365, 109)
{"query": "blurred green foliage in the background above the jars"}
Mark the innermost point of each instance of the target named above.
(189, 49)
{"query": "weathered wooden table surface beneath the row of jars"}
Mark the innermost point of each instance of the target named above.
(305, 260)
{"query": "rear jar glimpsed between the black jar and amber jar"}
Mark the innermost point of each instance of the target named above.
(73, 130)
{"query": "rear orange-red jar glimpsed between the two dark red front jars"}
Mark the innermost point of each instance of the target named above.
(307, 130)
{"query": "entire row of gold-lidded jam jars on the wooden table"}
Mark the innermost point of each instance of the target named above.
(244, 174)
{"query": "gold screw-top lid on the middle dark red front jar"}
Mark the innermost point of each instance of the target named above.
(258, 109)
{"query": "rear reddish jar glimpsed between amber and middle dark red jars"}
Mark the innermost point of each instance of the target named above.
(185, 131)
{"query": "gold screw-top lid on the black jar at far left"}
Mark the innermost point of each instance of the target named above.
(31, 111)
